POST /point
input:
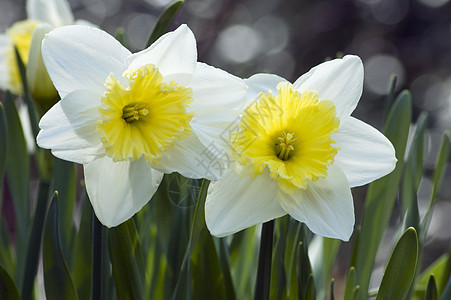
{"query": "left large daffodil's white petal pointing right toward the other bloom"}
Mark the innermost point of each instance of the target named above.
(213, 86)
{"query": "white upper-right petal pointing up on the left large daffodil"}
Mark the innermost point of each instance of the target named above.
(174, 52)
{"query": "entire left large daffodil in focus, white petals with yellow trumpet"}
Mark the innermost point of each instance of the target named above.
(130, 117)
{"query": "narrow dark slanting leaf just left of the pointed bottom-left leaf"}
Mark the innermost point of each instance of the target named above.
(34, 243)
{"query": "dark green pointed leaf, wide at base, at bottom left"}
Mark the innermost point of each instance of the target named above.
(57, 279)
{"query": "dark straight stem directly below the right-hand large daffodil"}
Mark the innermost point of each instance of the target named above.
(263, 283)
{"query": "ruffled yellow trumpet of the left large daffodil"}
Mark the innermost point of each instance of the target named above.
(145, 118)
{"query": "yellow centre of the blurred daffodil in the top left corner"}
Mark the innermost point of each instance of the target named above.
(20, 34)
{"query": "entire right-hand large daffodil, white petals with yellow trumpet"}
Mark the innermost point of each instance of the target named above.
(298, 151)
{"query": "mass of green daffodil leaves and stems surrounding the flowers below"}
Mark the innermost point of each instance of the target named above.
(166, 250)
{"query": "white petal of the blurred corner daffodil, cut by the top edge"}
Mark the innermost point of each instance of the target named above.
(55, 12)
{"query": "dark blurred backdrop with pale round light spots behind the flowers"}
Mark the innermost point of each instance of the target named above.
(407, 38)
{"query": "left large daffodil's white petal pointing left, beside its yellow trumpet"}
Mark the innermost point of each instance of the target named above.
(69, 128)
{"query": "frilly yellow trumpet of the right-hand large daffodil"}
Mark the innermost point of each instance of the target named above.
(290, 134)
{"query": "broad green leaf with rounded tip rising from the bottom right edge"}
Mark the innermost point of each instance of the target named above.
(400, 271)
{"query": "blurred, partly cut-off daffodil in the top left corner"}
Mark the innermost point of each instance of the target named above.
(26, 35)
